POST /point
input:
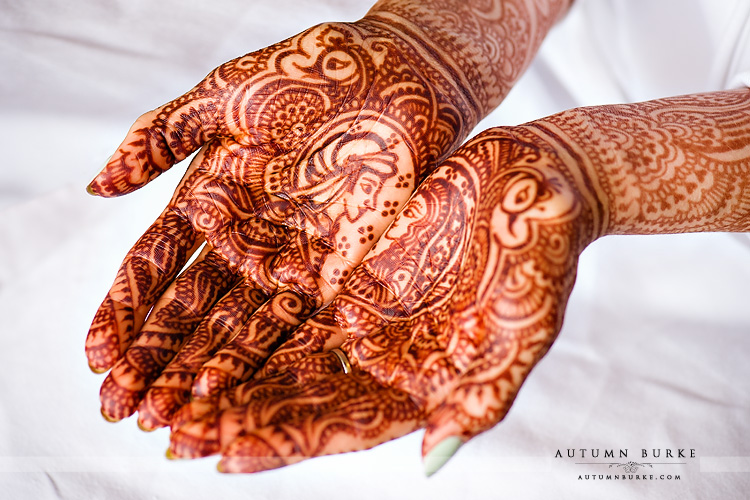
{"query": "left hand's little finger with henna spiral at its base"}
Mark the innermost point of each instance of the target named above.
(248, 350)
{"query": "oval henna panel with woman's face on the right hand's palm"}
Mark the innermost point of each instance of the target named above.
(395, 281)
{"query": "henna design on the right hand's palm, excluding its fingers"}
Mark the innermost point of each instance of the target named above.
(491, 281)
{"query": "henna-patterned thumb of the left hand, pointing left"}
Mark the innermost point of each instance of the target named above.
(160, 138)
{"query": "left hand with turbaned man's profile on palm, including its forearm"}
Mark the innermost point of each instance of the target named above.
(307, 150)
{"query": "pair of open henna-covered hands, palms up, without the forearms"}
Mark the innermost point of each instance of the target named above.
(307, 151)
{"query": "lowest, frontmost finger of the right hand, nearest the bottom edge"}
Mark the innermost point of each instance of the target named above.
(357, 421)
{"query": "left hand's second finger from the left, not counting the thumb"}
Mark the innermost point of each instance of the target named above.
(174, 317)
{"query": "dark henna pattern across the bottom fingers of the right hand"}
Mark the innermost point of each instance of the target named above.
(322, 409)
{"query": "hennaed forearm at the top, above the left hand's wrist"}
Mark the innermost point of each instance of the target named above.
(483, 46)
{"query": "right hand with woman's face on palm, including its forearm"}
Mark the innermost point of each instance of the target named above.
(456, 303)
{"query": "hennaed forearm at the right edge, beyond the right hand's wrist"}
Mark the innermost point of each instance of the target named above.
(672, 165)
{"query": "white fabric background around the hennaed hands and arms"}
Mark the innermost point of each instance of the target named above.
(653, 353)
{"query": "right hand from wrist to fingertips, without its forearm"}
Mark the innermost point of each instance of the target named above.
(445, 318)
